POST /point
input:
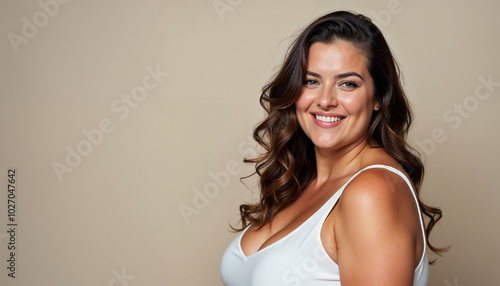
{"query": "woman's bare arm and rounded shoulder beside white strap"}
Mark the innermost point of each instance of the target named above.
(376, 231)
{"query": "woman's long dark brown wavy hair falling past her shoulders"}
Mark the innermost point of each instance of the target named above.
(288, 164)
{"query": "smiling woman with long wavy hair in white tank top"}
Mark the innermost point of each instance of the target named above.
(339, 185)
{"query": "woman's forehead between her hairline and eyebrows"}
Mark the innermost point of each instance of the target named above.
(339, 56)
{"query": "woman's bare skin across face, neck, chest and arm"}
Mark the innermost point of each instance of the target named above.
(373, 232)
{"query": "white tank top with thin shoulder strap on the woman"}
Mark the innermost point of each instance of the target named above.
(299, 258)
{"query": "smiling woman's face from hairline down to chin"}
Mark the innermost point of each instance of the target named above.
(336, 103)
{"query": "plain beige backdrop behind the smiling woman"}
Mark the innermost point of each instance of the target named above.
(115, 219)
